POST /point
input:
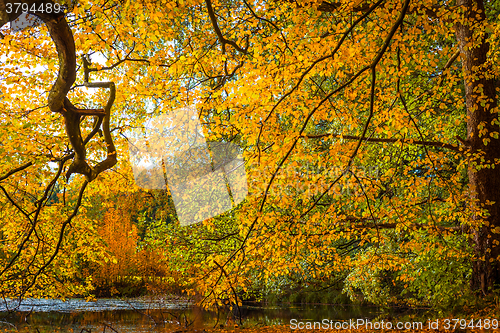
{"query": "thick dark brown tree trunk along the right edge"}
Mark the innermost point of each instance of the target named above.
(481, 103)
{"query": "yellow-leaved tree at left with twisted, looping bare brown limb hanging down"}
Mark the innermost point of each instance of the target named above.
(33, 237)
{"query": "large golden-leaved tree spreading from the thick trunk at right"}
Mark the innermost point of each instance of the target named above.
(319, 94)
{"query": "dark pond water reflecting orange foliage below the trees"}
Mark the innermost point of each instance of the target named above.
(155, 315)
